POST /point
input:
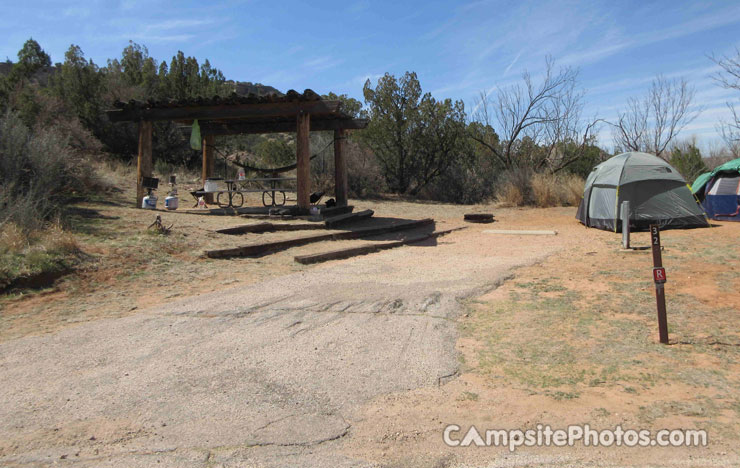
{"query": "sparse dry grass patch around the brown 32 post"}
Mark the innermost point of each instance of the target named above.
(594, 339)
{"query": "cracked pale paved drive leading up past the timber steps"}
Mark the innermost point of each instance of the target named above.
(269, 374)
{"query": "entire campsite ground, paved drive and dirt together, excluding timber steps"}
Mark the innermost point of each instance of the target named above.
(155, 354)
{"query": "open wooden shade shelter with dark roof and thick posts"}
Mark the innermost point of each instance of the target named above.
(217, 116)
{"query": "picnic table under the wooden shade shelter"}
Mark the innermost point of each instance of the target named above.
(233, 196)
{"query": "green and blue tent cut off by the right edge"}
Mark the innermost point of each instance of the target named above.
(719, 191)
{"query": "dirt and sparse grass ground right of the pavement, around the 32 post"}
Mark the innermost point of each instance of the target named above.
(573, 340)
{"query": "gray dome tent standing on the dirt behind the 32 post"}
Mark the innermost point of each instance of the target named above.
(657, 193)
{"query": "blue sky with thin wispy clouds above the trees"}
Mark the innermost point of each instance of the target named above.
(457, 48)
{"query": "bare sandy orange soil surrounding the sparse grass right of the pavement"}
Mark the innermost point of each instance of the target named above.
(405, 429)
